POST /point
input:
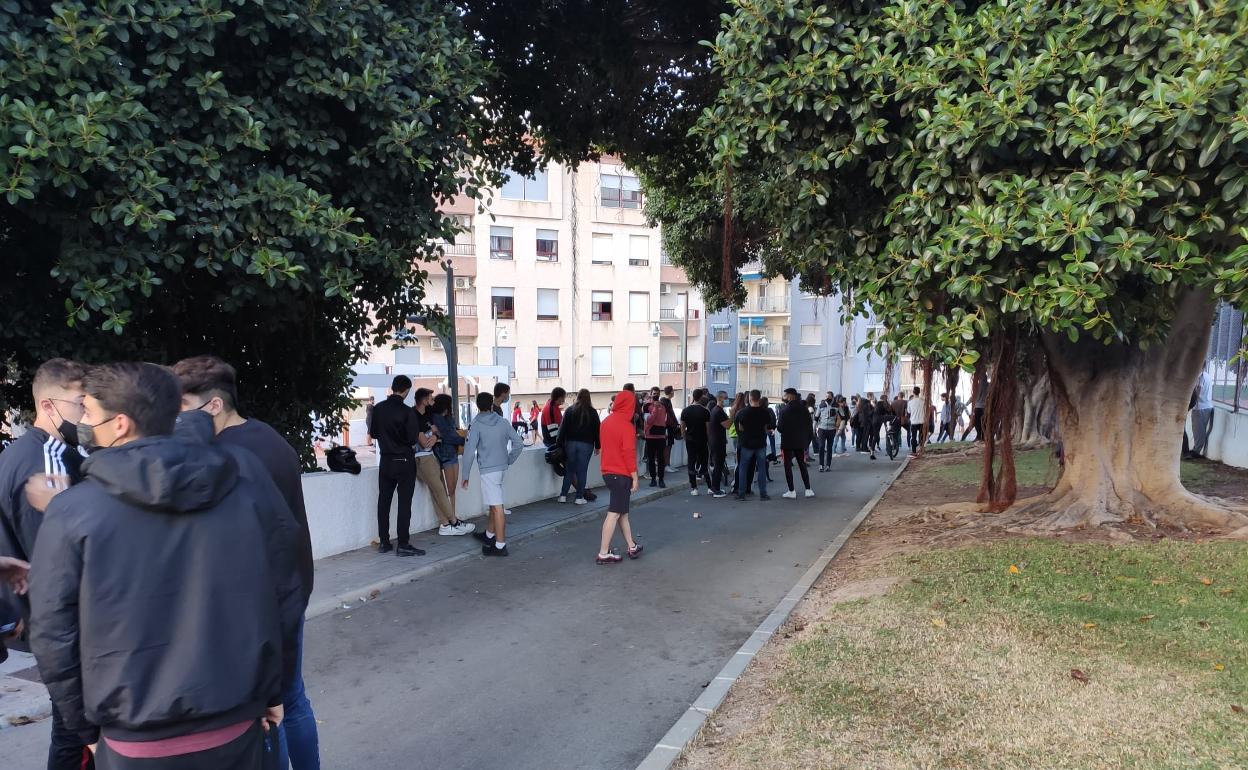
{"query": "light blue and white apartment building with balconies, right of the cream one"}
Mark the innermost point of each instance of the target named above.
(786, 338)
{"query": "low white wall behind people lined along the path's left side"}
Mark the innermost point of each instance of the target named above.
(343, 509)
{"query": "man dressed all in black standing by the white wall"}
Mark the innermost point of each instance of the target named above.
(396, 430)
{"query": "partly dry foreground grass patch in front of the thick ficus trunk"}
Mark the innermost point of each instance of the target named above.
(969, 665)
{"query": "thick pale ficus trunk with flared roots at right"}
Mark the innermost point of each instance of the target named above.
(1121, 414)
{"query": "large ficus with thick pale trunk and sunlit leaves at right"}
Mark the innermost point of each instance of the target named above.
(1068, 170)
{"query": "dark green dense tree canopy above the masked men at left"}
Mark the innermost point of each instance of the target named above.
(255, 179)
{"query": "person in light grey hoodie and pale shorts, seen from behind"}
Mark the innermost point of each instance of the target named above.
(495, 446)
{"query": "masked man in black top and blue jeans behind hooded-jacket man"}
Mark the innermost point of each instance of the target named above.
(210, 387)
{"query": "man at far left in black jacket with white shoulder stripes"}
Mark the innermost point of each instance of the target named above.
(46, 460)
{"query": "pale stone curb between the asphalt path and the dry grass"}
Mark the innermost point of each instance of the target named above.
(672, 746)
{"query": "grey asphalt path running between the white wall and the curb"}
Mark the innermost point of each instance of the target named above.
(546, 661)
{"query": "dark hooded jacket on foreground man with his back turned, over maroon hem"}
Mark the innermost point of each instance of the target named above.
(165, 598)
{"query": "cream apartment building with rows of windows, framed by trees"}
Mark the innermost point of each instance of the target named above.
(565, 284)
